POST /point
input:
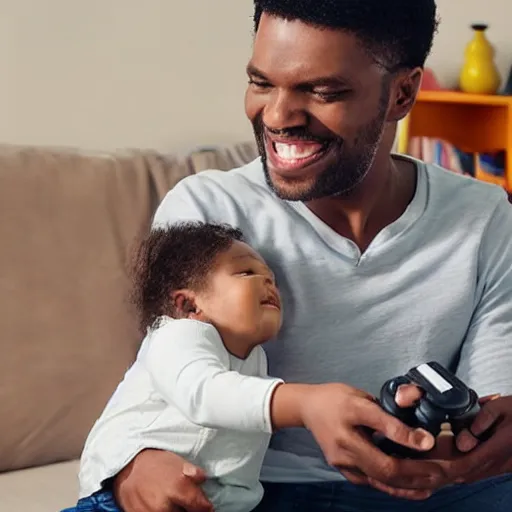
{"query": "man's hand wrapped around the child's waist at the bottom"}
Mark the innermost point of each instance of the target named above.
(158, 481)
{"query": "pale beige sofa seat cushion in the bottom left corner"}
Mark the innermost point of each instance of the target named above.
(46, 489)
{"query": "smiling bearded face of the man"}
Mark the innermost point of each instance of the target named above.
(318, 106)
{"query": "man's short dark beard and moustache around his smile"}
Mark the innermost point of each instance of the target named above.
(338, 179)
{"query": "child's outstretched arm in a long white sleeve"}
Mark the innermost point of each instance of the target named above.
(188, 364)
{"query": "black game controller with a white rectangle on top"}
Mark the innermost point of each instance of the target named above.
(446, 399)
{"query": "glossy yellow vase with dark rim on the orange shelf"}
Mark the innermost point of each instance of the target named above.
(479, 74)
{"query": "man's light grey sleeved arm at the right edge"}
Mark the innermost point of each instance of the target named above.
(486, 355)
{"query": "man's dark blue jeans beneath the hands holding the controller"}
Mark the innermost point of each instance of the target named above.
(492, 495)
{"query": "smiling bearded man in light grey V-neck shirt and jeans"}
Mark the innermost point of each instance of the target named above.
(383, 262)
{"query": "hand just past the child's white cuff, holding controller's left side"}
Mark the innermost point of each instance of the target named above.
(342, 420)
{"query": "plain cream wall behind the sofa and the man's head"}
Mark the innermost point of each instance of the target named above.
(164, 74)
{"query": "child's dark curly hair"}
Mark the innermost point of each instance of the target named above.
(172, 258)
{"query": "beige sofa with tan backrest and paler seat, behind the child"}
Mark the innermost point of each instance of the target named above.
(68, 225)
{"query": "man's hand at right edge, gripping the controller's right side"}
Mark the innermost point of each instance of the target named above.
(492, 457)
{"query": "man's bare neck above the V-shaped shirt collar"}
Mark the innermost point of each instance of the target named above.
(380, 200)
